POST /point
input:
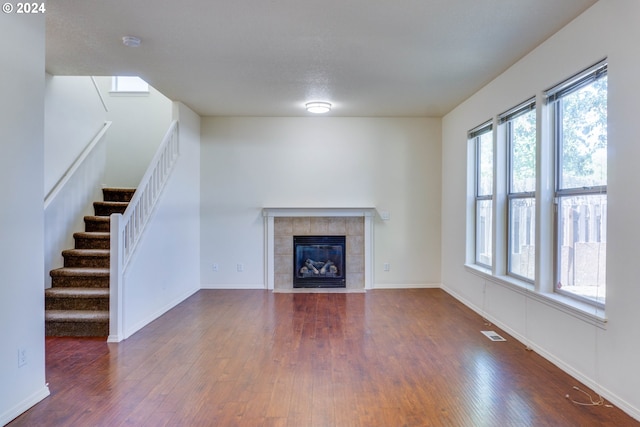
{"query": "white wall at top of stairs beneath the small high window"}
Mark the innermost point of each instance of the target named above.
(139, 123)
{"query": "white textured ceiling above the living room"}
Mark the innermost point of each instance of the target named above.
(269, 57)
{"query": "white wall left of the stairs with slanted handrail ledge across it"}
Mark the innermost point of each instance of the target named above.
(74, 115)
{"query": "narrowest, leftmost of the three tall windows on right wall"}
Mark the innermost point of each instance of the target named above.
(482, 138)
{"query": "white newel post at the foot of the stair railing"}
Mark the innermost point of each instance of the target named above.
(116, 279)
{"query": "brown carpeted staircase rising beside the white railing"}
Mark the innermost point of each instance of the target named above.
(77, 304)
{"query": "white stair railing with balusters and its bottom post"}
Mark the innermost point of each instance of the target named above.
(127, 228)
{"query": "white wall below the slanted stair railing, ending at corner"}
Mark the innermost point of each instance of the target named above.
(164, 269)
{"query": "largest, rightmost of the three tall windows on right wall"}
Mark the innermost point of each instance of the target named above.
(579, 110)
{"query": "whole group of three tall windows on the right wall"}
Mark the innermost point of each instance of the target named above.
(539, 213)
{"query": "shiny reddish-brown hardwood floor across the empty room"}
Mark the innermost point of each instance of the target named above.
(255, 358)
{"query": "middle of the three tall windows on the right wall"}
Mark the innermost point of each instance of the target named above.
(519, 125)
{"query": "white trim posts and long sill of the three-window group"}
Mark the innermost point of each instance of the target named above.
(543, 289)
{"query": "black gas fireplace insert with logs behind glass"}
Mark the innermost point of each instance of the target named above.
(319, 262)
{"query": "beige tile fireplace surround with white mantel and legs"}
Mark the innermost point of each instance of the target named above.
(281, 224)
